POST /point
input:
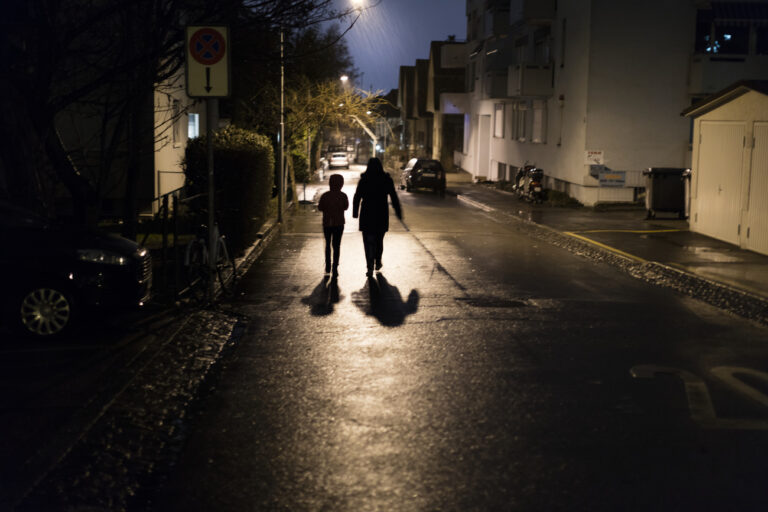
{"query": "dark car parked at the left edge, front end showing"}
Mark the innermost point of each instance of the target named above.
(55, 274)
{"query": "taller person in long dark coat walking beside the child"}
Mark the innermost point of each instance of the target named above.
(372, 191)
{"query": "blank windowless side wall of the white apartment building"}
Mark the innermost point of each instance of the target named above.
(638, 75)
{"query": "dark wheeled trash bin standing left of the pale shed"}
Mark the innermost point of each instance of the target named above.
(666, 190)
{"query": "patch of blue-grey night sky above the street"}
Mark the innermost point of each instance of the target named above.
(395, 33)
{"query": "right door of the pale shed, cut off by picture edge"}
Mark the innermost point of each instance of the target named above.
(757, 218)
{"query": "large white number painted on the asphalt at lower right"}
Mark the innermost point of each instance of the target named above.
(699, 401)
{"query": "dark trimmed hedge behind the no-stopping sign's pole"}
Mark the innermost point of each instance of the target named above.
(244, 168)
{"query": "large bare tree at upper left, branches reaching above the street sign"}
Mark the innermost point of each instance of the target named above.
(101, 60)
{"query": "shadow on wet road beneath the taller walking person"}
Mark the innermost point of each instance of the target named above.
(380, 299)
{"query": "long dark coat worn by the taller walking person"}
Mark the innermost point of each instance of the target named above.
(372, 191)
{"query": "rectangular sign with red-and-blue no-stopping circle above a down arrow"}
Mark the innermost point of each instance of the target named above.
(207, 52)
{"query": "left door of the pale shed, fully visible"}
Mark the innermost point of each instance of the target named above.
(718, 188)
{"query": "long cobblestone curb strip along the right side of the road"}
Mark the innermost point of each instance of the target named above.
(722, 296)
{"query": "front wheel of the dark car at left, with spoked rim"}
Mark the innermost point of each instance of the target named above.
(45, 310)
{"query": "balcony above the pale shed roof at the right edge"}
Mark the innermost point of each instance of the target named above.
(711, 73)
